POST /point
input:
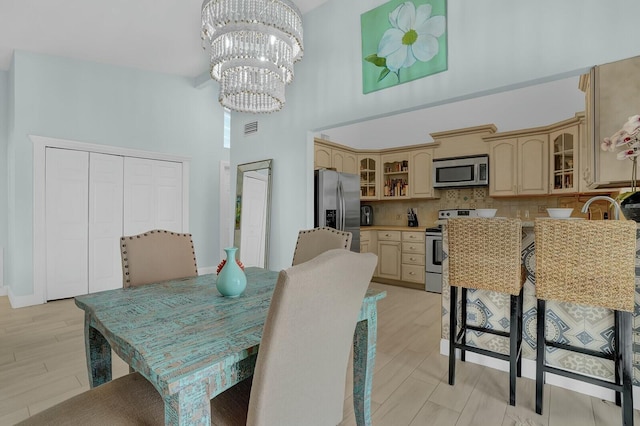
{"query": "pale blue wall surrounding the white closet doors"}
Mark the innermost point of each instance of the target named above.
(103, 104)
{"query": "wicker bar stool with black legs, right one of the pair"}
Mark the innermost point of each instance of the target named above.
(588, 263)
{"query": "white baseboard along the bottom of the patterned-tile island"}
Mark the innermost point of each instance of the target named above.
(529, 371)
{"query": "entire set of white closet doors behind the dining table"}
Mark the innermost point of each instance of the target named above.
(87, 197)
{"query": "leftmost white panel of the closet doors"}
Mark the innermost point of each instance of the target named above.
(66, 205)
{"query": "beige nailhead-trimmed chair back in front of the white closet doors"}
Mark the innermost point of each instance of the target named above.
(157, 255)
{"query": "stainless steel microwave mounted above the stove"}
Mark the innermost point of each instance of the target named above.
(461, 172)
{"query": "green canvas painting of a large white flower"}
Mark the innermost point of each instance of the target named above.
(403, 41)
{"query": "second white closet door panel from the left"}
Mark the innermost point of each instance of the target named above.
(105, 221)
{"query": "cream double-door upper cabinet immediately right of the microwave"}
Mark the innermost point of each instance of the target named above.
(519, 165)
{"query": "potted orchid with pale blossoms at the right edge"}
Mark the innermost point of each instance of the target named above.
(628, 138)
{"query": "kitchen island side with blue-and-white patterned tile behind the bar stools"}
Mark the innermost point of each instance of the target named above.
(573, 324)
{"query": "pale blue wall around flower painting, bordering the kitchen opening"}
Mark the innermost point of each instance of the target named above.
(493, 45)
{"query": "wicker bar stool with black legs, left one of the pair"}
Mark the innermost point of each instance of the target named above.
(485, 254)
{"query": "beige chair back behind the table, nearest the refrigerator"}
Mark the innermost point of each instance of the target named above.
(312, 242)
